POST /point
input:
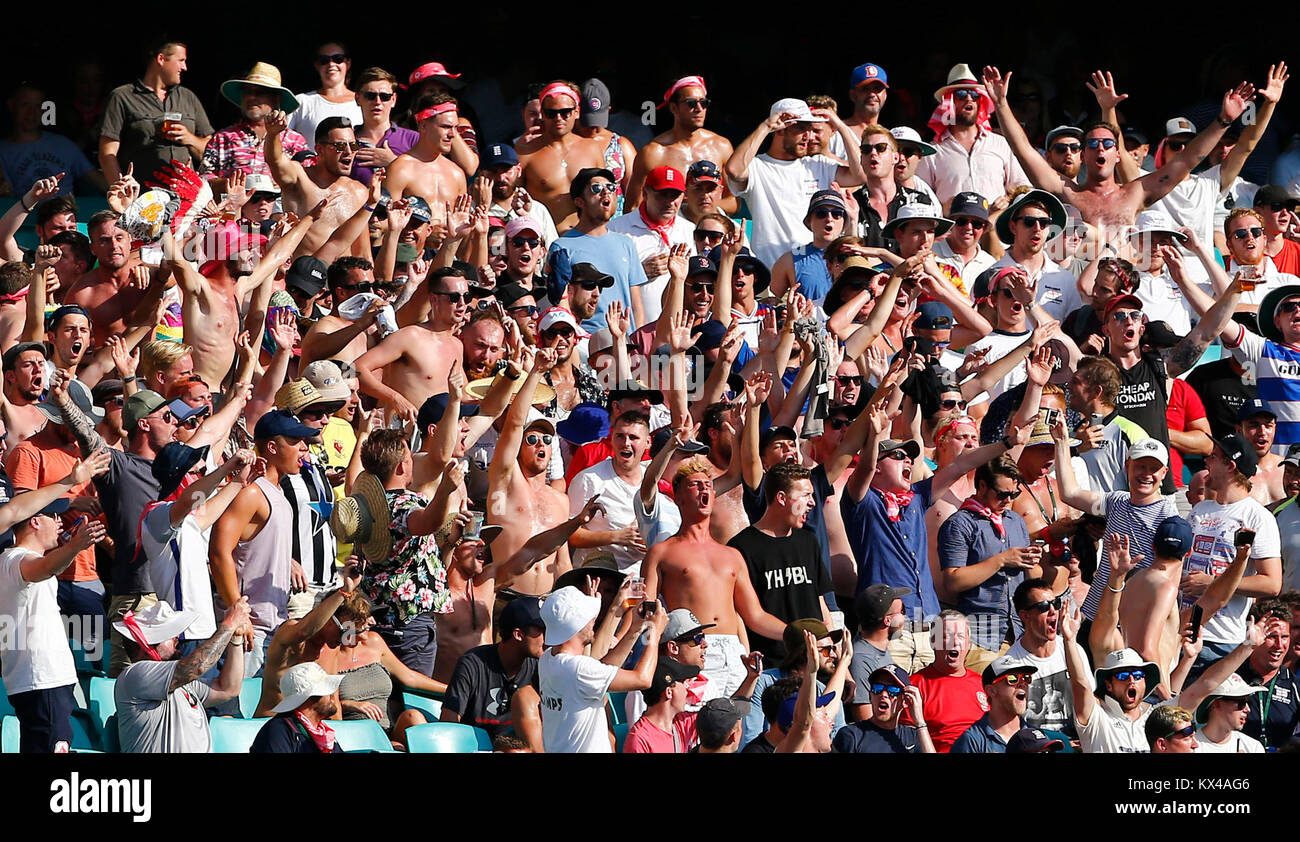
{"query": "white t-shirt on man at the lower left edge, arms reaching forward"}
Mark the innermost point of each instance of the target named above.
(34, 653)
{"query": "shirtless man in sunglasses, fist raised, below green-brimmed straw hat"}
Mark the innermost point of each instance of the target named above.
(304, 189)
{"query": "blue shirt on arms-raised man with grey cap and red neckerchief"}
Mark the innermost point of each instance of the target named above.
(892, 553)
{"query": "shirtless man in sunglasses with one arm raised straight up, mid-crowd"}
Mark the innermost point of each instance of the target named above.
(519, 496)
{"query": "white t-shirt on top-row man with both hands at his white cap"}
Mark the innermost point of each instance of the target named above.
(778, 194)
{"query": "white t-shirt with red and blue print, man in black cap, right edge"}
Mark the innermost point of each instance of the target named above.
(1215, 526)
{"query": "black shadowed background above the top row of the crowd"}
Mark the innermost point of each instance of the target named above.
(748, 63)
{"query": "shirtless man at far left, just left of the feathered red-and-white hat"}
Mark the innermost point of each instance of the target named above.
(115, 288)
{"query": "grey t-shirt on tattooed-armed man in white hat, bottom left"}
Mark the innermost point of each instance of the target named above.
(150, 721)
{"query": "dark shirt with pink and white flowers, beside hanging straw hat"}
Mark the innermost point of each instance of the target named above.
(414, 580)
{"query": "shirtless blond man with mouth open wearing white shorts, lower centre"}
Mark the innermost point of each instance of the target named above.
(694, 571)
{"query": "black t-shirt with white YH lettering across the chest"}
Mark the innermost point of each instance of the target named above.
(788, 578)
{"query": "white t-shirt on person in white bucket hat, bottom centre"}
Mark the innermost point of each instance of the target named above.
(573, 691)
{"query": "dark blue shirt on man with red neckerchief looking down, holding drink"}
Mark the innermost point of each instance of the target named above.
(967, 539)
